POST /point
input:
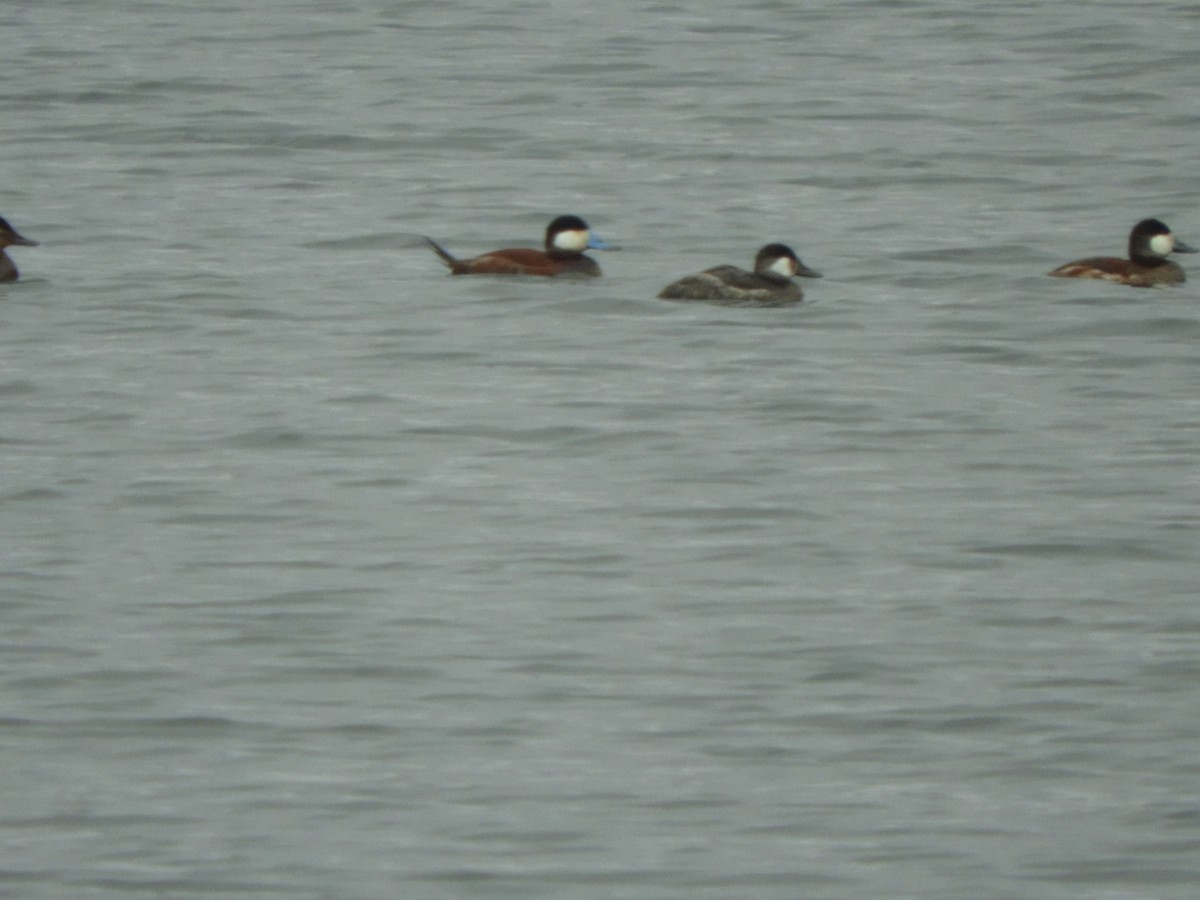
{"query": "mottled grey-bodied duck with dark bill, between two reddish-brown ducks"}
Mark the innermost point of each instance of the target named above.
(770, 284)
